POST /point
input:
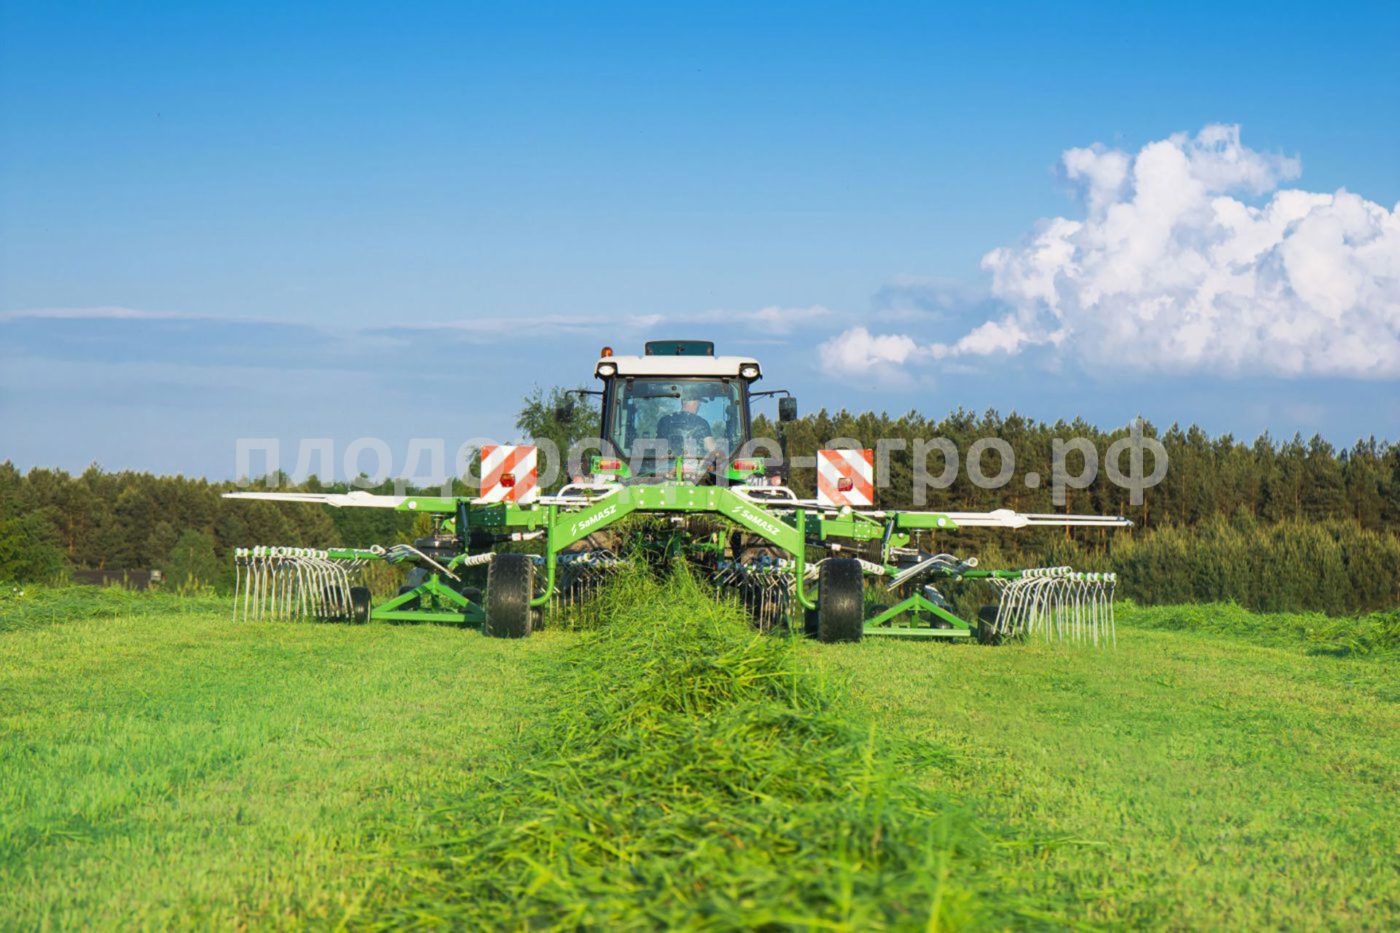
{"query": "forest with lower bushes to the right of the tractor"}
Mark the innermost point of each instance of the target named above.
(1294, 525)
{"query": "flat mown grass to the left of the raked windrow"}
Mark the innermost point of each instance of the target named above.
(180, 770)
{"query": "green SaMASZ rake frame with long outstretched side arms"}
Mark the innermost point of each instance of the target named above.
(797, 529)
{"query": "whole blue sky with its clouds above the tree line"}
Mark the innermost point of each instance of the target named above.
(349, 221)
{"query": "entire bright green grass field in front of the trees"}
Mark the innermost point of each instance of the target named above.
(169, 767)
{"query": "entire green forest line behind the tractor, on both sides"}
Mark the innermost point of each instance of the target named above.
(1269, 523)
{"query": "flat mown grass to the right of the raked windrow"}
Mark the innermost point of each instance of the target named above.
(1199, 782)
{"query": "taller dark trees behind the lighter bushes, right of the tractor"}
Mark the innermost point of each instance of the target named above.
(1207, 477)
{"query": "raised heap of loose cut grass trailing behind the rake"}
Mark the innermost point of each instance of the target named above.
(694, 774)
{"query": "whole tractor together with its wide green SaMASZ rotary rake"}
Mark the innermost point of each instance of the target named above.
(667, 487)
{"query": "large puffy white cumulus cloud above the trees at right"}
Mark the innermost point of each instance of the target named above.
(1179, 265)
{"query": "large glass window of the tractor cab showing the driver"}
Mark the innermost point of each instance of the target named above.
(677, 417)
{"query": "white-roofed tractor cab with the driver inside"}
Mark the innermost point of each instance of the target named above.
(677, 413)
